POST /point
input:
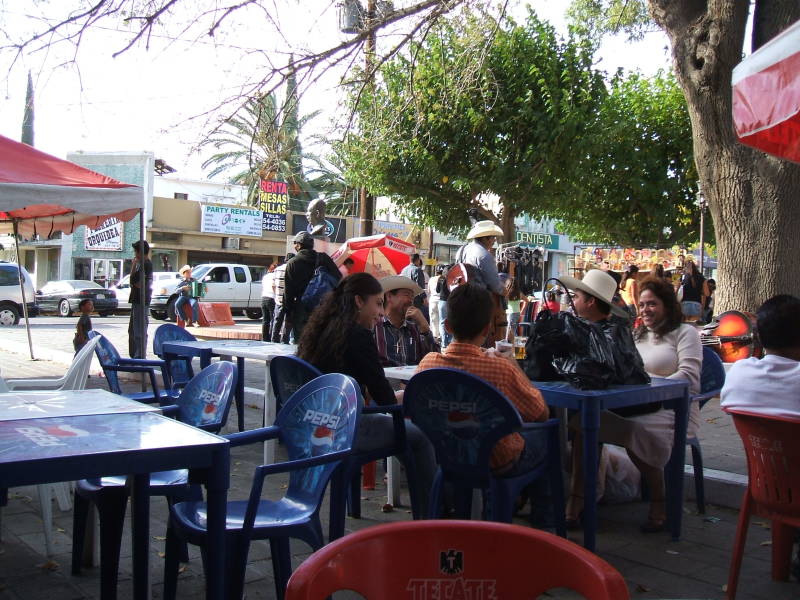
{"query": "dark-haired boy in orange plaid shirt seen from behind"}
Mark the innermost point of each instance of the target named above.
(469, 312)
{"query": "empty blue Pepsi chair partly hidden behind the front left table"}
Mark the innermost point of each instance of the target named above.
(204, 403)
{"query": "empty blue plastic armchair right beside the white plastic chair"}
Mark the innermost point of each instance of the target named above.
(112, 363)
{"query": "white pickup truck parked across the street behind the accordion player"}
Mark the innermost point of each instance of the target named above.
(238, 285)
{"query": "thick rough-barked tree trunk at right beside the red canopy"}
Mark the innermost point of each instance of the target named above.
(752, 196)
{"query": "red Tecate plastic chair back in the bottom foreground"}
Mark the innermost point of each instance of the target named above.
(454, 559)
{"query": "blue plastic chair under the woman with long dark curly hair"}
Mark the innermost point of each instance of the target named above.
(288, 374)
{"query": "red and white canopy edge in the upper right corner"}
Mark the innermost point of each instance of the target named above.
(766, 96)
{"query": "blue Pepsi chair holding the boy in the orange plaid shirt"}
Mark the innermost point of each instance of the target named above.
(464, 417)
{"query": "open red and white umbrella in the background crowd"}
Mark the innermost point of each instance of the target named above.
(379, 255)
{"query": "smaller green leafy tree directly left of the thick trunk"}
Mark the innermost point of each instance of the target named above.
(636, 185)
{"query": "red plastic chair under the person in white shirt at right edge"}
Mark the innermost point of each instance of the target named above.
(772, 447)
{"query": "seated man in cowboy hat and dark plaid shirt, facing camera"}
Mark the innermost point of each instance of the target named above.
(403, 335)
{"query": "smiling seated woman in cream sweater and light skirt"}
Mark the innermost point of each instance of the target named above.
(670, 349)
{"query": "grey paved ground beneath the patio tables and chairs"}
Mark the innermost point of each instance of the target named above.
(695, 567)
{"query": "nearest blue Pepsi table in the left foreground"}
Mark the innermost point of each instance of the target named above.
(53, 449)
